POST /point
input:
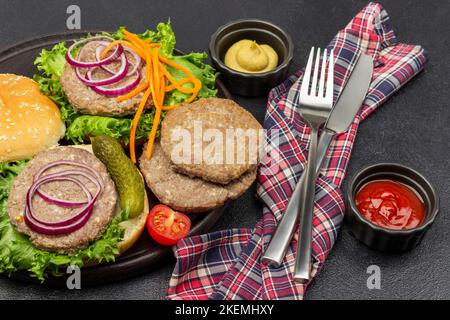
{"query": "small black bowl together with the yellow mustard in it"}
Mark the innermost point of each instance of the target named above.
(264, 40)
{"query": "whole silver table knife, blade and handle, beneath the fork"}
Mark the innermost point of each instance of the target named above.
(341, 117)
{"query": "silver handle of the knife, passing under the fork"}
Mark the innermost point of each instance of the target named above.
(279, 243)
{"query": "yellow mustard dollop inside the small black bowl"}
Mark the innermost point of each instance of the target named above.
(248, 56)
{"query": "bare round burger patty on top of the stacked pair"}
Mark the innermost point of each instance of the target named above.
(219, 115)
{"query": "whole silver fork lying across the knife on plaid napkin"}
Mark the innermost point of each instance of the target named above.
(315, 105)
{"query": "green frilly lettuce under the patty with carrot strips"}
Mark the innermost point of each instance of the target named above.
(50, 64)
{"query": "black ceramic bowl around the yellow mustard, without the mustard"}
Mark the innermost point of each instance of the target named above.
(251, 84)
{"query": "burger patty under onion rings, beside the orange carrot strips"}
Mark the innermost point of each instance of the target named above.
(85, 100)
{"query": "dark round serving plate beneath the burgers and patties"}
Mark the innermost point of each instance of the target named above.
(145, 254)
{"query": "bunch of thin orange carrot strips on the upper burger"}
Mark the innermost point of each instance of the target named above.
(157, 82)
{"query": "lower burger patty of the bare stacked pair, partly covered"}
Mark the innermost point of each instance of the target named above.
(188, 194)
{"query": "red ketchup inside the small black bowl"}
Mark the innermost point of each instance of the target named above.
(390, 204)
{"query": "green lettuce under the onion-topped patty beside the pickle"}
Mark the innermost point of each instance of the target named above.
(18, 253)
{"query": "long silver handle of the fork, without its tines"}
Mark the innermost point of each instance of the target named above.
(302, 266)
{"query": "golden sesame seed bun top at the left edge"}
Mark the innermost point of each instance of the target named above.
(30, 122)
